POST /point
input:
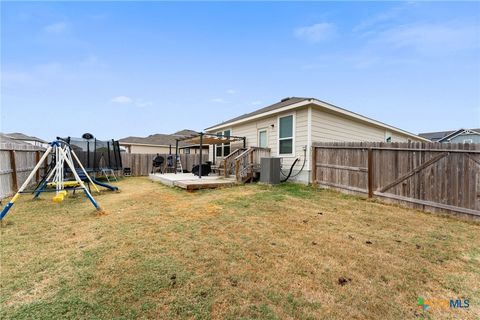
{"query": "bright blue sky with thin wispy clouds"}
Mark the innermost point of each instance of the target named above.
(117, 69)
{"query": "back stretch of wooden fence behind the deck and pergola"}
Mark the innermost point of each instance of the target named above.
(141, 164)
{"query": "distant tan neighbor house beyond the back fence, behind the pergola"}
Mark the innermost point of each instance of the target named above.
(160, 143)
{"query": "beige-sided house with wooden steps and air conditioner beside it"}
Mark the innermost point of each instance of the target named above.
(291, 126)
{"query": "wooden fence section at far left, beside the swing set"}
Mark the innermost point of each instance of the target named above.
(15, 166)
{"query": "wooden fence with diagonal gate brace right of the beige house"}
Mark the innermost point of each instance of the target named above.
(428, 176)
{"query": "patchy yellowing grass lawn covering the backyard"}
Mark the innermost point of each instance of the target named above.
(247, 252)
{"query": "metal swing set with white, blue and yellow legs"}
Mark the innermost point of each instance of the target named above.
(54, 179)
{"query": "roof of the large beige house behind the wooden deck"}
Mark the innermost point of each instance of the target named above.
(297, 102)
